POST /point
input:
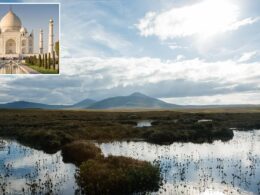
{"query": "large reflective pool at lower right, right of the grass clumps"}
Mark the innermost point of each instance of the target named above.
(219, 168)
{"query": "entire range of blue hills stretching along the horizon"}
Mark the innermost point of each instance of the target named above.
(133, 101)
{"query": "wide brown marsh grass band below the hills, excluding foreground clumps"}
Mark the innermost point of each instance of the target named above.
(51, 130)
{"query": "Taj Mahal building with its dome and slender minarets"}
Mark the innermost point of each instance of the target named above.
(16, 41)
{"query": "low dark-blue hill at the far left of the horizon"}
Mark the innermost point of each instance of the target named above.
(29, 105)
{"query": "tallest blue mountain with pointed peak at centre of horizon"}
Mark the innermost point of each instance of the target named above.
(135, 100)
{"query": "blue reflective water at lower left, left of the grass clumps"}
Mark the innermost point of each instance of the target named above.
(27, 171)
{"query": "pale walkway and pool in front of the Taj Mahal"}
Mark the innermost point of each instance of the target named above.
(15, 67)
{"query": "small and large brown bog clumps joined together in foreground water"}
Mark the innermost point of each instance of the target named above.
(110, 175)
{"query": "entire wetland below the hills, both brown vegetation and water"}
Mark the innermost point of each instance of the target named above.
(55, 152)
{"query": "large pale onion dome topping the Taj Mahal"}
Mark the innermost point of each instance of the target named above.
(10, 22)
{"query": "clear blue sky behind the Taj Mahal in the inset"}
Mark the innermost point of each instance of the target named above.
(35, 17)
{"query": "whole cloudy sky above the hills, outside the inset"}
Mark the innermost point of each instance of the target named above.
(181, 51)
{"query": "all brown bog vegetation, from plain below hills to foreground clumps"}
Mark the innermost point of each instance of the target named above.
(69, 131)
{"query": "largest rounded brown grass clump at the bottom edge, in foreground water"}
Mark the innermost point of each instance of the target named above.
(118, 175)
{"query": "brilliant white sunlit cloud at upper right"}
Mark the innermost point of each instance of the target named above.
(205, 18)
